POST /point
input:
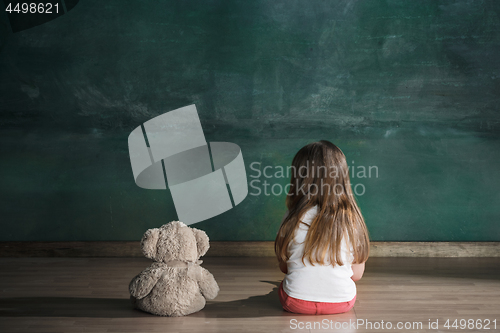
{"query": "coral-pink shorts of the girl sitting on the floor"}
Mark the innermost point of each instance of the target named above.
(295, 305)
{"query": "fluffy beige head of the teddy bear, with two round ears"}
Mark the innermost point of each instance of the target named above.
(174, 241)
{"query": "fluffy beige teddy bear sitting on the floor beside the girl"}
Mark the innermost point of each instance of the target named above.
(175, 284)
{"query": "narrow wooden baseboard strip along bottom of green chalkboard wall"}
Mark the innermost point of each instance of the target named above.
(244, 249)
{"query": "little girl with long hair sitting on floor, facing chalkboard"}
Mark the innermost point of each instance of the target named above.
(322, 243)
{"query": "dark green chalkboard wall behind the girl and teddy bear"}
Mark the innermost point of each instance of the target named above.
(409, 88)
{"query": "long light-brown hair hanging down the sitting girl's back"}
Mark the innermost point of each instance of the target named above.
(320, 176)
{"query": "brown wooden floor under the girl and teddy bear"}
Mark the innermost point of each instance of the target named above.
(90, 295)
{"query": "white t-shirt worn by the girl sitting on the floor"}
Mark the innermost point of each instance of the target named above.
(318, 283)
